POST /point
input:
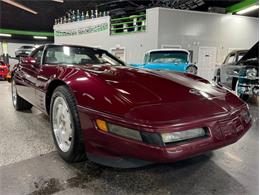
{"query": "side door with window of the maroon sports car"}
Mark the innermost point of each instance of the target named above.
(46, 73)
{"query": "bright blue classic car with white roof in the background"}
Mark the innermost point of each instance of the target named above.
(168, 59)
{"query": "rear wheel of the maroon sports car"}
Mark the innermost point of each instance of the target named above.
(19, 103)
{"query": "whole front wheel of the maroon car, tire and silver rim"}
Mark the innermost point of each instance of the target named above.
(66, 128)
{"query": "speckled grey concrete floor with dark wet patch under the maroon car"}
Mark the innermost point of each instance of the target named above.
(30, 165)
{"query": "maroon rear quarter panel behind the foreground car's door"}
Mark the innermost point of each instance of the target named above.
(27, 76)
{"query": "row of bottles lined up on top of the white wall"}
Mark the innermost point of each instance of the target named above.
(75, 16)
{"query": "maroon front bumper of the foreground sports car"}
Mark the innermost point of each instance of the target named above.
(111, 150)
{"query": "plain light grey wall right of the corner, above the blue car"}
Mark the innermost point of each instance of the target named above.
(192, 30)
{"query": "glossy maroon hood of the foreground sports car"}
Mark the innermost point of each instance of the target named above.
(162, 96)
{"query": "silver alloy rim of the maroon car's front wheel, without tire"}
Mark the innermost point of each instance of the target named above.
(62, 124)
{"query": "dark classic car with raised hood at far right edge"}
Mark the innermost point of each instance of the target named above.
(240, 72)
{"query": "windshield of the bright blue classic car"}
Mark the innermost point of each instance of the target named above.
(176, 57)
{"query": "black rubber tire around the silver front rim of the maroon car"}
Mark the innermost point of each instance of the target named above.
(76, 152)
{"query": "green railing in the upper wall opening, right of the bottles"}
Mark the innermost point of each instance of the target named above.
(130, 24)
